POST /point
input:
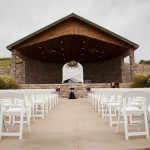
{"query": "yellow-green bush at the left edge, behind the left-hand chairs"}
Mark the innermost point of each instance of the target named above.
(7, 82)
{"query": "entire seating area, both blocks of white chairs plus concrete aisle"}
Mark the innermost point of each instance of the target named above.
(74, 124)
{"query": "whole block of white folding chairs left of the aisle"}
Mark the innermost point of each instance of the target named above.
(22, 106)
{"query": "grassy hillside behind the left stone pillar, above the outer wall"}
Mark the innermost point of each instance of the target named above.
(7, 61)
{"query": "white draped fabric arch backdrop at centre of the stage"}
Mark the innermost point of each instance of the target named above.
(73, 73)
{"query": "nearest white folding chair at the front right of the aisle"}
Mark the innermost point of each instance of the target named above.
(140, 112)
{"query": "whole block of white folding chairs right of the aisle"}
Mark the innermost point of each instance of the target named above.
(130, 107)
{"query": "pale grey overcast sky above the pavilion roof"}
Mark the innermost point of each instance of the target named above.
(128, 18)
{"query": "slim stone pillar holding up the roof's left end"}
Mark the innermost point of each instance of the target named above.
(13, 64)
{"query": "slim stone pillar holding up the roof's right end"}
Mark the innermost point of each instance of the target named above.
(132, 63)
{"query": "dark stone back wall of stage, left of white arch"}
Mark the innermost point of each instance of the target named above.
(37, 72)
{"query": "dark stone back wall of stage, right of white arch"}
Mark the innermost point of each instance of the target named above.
(103, 72)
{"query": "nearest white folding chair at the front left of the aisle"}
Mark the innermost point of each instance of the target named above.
(12, 111)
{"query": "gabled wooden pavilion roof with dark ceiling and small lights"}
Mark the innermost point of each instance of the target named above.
(72, 38)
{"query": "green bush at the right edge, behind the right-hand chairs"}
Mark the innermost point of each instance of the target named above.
(141, 81)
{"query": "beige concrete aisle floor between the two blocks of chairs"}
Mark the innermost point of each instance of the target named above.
(73, 125)
